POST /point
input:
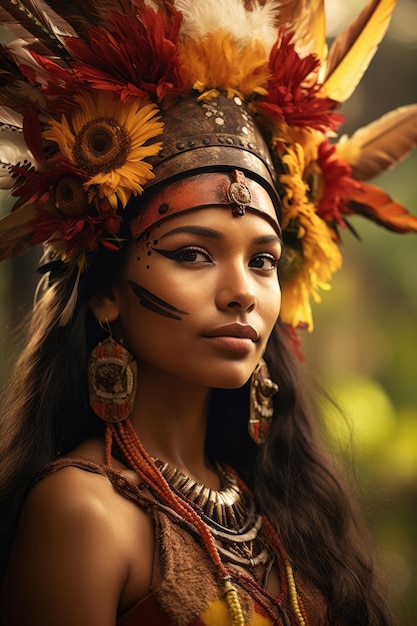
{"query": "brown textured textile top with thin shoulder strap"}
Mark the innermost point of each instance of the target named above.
(185, 590)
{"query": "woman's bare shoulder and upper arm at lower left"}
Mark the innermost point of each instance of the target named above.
(72, 560)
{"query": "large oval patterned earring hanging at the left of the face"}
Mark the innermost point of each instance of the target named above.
(112, 375)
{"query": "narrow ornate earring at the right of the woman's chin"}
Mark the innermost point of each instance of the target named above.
(262, 389)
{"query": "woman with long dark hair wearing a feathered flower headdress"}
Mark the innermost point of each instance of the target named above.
(158, 473)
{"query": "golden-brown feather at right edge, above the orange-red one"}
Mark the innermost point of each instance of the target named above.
(382, 144)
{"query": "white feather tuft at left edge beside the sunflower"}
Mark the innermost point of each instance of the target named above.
(13, 151)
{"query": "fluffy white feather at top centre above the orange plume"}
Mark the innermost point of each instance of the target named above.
(205, 16)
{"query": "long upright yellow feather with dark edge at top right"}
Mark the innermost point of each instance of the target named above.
(353, 50)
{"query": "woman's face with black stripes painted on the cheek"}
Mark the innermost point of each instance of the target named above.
(199, 298)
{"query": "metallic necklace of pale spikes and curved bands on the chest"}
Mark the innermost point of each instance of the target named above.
(229, 515)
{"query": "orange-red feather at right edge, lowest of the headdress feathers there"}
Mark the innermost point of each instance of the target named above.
(376, 205)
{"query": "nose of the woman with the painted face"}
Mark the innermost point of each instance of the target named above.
(235, 290)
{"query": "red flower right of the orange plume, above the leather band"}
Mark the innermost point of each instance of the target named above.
(291, 97)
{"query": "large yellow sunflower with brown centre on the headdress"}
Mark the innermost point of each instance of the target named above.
(109, 140)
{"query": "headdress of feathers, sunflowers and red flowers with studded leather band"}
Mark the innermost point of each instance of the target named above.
(93, 100)
